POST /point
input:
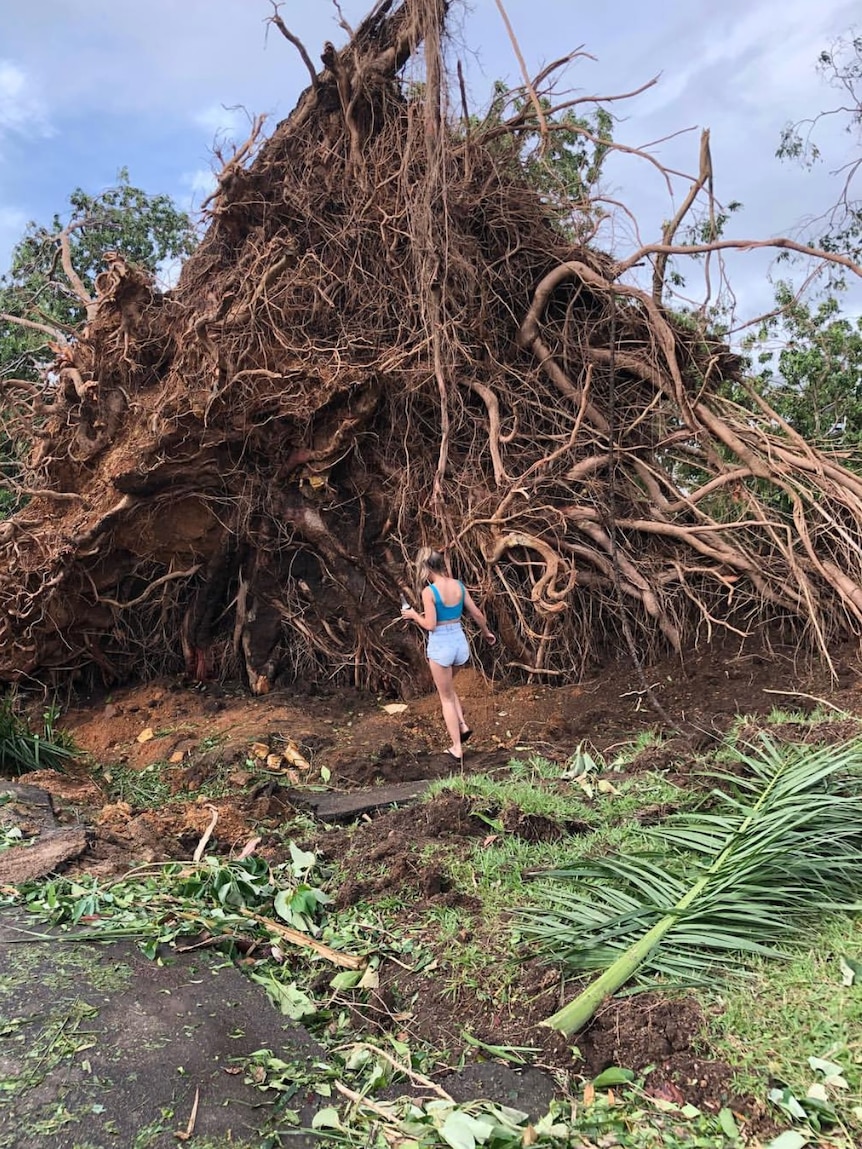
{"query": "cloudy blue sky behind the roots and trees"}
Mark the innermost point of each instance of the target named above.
(91, 87)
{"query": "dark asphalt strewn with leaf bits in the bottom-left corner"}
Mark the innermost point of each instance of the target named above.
(157, 1038)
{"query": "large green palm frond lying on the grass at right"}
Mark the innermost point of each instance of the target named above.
(745, 877)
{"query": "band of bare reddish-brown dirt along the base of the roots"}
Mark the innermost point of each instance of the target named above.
(356, 743)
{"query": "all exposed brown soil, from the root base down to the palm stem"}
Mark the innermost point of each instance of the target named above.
(211, 735)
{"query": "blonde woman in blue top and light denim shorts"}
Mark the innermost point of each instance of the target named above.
(444, 602)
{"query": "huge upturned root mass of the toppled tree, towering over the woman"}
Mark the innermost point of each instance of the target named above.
(388, 337)
